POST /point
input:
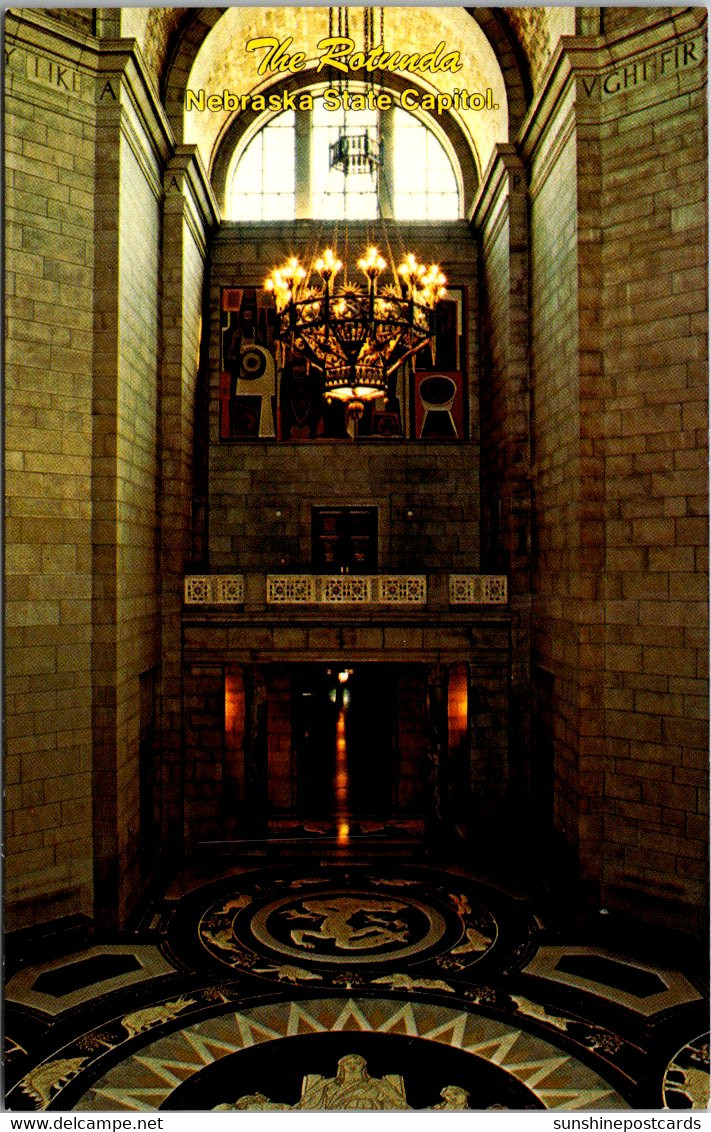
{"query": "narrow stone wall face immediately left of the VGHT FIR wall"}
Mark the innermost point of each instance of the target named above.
(555, 426)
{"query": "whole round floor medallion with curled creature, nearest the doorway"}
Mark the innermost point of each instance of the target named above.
(298, 929)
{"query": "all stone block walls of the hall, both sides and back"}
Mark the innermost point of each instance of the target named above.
(586, 268)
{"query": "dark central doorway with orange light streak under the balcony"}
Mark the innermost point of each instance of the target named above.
(344, 728)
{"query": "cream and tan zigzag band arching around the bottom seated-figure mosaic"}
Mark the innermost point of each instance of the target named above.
(145, 1079)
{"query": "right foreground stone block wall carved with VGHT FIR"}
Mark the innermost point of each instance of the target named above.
(654, 208)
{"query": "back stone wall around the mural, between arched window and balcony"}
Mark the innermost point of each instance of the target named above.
(261, 494)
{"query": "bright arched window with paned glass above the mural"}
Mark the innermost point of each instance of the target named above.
(286, 171)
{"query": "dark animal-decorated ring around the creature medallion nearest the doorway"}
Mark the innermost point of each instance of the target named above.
(234, 931)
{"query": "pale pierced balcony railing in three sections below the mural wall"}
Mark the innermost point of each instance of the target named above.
(346, 590)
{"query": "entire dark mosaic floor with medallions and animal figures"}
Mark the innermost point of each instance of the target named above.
(348, 989)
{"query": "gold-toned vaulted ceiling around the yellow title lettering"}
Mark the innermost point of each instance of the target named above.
(506, 49)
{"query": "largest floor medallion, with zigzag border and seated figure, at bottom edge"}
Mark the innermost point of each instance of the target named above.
(336, 1054)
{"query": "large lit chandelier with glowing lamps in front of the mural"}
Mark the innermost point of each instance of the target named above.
(356, 335)
